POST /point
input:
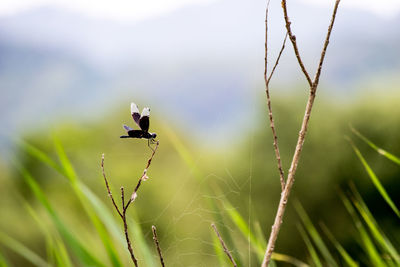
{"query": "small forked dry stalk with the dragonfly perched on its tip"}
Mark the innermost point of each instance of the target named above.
(125, 207)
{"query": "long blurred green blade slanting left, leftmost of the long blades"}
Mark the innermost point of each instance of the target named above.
(81, 252)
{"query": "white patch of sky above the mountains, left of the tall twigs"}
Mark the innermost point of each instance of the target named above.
(121, 10)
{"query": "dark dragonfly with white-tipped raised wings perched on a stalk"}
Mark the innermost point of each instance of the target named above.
(143, 121)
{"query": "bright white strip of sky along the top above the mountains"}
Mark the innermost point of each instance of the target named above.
(136, 10)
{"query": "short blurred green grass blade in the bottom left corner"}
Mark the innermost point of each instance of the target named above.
(22, 250)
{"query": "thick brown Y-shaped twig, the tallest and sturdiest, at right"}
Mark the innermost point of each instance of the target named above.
(300, 141)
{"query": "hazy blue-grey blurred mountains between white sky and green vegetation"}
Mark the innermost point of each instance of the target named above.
(203, 64)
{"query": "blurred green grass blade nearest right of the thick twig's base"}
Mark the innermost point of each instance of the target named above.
(315, 236)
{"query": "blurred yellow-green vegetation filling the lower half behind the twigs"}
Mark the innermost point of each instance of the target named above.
(55, 206)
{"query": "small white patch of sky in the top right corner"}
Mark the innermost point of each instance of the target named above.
(384, 8)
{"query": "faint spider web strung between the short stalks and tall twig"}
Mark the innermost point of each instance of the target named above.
(186, 237)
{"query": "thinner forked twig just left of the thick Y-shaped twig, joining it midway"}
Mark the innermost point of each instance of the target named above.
(266, 80)
